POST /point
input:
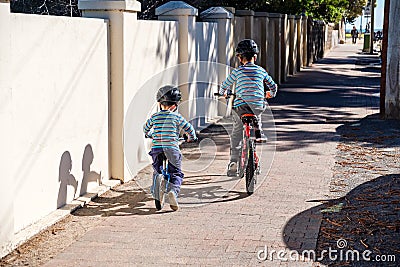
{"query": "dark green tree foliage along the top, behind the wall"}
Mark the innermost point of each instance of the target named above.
(327, 10)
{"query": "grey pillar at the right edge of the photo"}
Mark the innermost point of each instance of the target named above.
(392, 95)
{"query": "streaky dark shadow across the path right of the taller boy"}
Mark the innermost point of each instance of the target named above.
(321, 95)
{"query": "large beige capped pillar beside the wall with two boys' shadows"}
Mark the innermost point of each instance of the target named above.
(117, 12)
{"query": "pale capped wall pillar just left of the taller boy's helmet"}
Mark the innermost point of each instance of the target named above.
(223, 18)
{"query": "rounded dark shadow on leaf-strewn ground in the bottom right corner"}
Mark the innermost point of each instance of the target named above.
(367, 218)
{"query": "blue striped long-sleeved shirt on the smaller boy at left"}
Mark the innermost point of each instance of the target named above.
(166, 126)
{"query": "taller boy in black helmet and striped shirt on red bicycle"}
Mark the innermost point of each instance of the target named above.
(253, 85)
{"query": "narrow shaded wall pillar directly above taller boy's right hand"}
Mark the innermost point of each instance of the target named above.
(274, 53)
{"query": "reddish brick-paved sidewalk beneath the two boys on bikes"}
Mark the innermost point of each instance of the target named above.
(229, 230)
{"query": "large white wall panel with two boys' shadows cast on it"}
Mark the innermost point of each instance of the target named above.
(56, 106)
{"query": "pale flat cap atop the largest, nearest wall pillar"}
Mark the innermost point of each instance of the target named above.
(127, 5)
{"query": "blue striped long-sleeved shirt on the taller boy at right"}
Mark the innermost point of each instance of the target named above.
(249, 79)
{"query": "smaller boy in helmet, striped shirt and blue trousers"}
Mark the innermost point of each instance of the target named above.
(166, 125)
